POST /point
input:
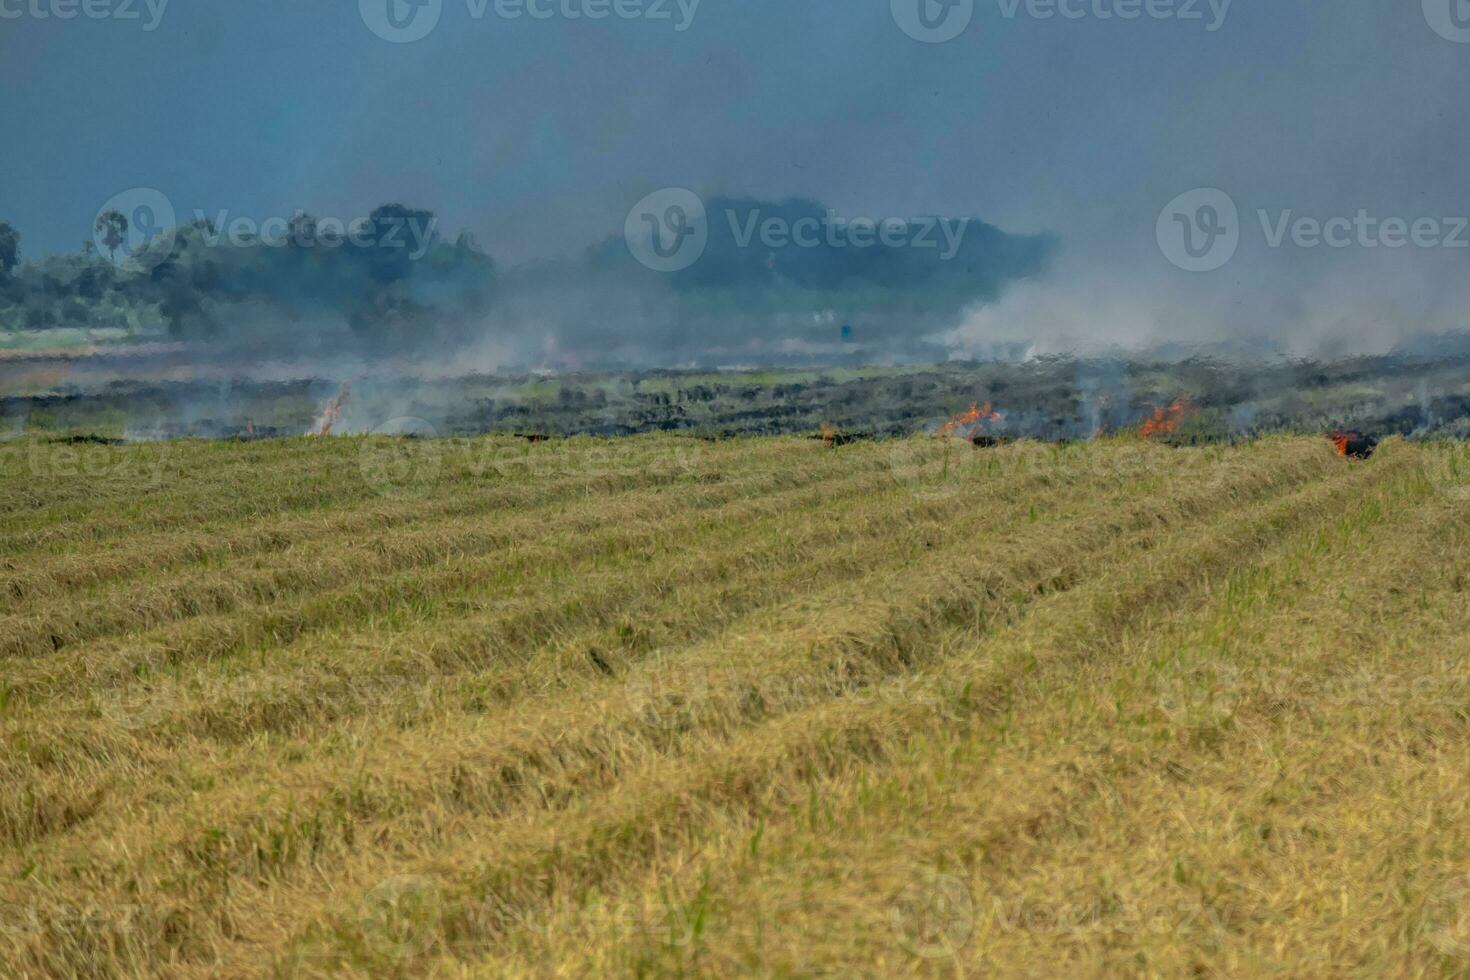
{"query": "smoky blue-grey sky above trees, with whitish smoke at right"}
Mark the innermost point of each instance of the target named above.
(540, 133)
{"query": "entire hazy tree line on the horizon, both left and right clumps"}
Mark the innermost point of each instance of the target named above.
(392, 281)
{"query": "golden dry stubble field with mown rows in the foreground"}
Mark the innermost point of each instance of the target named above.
(667, 707)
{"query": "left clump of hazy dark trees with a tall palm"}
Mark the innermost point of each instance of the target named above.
(390, 274)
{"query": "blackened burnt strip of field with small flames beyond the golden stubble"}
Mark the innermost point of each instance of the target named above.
(161, 394)
